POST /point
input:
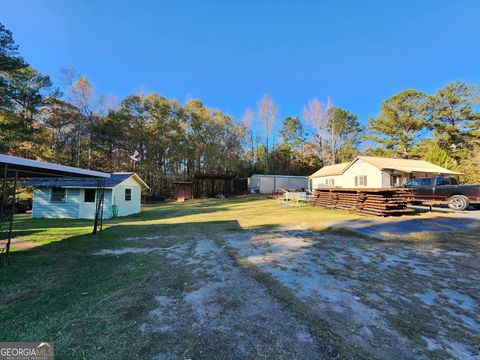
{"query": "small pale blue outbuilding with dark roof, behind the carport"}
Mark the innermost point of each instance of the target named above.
(75, 198)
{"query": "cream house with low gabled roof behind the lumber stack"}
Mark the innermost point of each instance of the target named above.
(375, 172)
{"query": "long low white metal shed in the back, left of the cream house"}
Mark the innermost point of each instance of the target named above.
(269, 184)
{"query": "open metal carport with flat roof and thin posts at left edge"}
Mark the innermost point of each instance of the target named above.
(13, 168)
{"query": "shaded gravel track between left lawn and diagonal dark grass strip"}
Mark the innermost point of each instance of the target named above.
(224, 313)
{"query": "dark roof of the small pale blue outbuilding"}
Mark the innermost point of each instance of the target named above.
(114, 180)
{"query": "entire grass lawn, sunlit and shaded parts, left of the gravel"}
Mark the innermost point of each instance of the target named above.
(92, 306)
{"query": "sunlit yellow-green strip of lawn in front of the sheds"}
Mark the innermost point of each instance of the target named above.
(247, 212)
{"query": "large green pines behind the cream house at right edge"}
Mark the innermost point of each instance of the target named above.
(443, 128)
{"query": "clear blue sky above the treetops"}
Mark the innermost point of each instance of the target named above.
(228, 53)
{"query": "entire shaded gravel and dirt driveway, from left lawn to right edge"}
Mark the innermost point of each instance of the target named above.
(392, 299)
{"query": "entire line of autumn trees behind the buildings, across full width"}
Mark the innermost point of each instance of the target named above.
(77, 126)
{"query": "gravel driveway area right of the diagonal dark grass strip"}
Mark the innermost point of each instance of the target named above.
(394, 299)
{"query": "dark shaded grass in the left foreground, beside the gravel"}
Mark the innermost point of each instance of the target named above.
(62, 292)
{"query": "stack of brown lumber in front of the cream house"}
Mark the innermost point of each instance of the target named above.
(378, 202)
